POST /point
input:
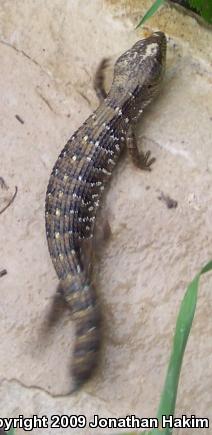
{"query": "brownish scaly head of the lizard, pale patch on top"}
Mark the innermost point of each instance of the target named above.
(138, 72)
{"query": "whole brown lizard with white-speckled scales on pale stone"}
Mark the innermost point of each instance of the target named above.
(78, 180)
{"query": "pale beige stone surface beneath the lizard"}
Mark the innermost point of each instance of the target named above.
(49, 51)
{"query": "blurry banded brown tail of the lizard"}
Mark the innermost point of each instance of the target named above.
(82, 302)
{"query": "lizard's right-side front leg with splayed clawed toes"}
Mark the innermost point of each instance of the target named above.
(141, 160)
